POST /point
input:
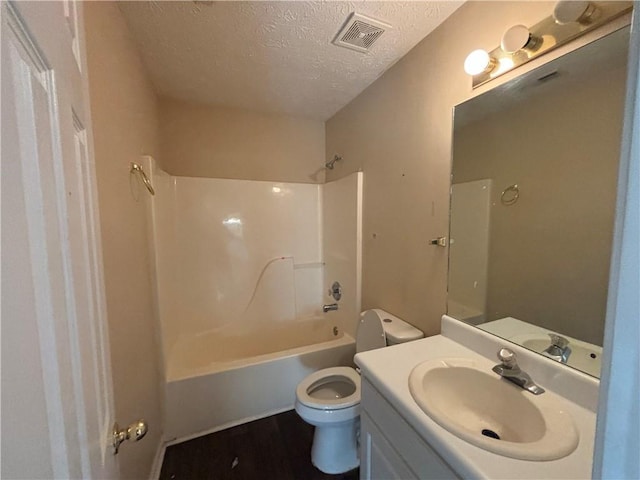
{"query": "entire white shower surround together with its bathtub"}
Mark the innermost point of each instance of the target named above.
(242, 269)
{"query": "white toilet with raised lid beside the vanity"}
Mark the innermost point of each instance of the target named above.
(329, 399)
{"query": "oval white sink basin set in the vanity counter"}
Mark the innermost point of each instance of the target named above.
(476, 405)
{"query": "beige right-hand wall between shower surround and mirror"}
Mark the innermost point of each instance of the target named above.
(398, 131)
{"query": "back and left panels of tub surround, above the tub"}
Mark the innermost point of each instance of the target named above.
(214, 238)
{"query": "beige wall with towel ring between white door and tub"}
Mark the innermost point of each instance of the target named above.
(124, 115)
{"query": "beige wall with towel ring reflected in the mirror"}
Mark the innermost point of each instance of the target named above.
(549, 252)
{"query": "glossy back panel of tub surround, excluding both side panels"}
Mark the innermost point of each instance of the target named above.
(226, 232)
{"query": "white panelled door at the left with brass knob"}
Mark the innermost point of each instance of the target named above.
(56, 381)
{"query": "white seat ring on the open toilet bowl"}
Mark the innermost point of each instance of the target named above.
(326, 376)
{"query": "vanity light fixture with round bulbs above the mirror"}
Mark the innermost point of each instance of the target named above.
(521, 44)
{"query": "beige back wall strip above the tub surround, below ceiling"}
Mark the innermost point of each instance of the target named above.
(204, 141)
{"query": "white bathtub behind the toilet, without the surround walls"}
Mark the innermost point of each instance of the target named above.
(223, 378)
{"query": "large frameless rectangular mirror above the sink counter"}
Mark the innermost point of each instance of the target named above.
(535, 164)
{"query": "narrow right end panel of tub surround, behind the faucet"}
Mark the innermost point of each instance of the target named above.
(342, 247)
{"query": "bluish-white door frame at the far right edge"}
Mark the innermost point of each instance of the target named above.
(618, 426)
